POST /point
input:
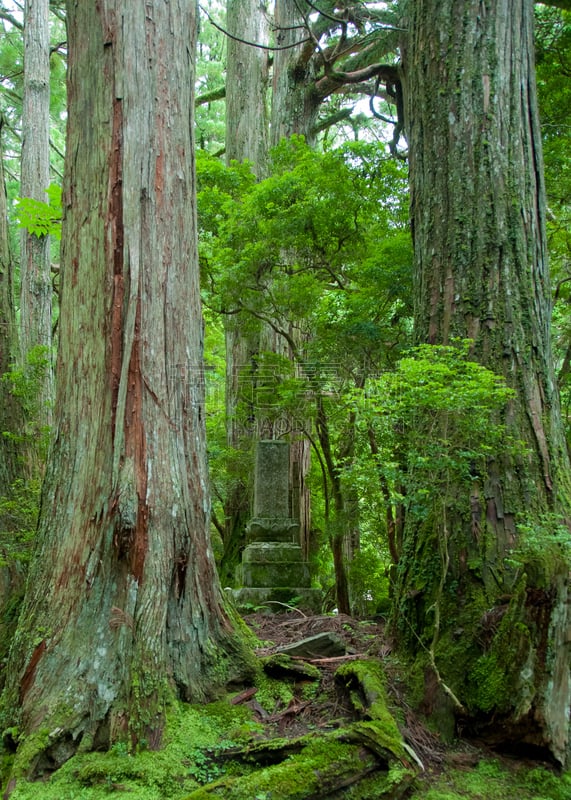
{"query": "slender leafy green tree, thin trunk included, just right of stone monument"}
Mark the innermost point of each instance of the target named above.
(319, 253)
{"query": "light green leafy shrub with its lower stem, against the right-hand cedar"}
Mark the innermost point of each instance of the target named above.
(437, 419)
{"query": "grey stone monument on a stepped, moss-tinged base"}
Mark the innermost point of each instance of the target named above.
(273, 571)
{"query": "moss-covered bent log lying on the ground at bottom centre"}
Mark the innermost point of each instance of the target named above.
(321, 767)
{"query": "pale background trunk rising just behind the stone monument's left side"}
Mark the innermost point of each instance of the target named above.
(246, 140)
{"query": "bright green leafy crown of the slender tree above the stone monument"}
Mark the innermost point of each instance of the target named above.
(301, 245)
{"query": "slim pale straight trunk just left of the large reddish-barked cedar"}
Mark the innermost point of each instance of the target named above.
(35, 277)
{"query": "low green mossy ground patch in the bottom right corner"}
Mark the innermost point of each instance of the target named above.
(493, 780)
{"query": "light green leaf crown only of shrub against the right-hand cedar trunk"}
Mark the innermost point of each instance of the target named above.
(447, 412)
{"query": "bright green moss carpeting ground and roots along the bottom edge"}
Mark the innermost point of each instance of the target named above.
(195, 761)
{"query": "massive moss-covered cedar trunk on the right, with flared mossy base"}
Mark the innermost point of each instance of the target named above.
(494, 635)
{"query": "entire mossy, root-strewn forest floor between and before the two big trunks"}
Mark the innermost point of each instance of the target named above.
(227, 749)
